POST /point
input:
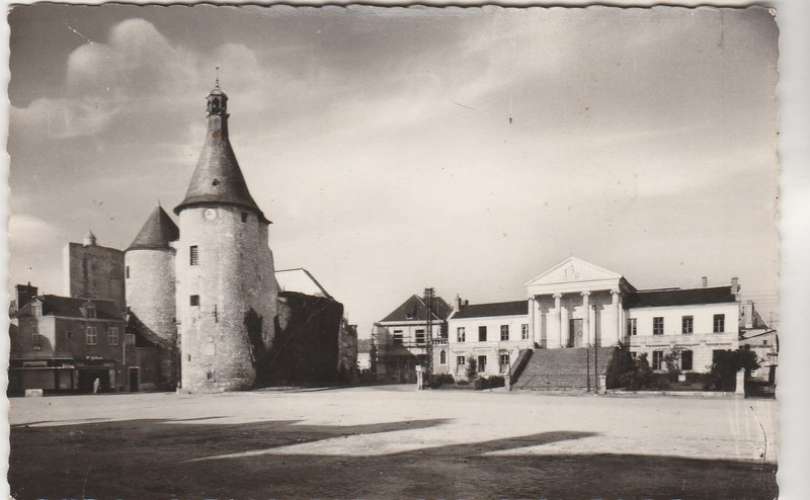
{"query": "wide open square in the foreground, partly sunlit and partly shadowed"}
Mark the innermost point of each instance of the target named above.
(376, 442)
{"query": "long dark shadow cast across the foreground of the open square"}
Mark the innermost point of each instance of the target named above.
(159, 459)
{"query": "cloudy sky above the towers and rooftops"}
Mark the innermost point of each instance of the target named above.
(464, 149)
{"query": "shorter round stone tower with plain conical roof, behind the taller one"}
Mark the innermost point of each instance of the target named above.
(149, 275)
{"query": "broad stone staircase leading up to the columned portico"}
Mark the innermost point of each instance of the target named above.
(563, 369)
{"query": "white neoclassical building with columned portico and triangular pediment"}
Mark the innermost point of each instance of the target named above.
(577, 304)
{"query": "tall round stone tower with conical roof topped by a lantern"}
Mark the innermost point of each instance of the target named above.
(226, 287)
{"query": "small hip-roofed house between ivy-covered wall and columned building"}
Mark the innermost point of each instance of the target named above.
(405, 338)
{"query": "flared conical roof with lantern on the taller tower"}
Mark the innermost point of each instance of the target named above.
(218, 180)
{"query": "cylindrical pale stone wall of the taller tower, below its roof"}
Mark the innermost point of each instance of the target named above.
(235, 282)
